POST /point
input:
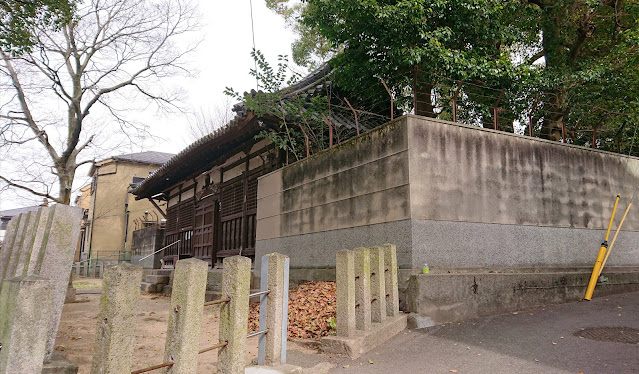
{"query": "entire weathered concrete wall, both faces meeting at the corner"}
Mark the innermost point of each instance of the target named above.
(451, 196)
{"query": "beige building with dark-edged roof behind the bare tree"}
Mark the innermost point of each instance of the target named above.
(112, 212)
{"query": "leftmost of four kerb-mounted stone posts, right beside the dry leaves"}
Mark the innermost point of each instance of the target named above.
(345, 284)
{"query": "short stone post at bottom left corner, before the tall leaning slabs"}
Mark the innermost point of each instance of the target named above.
(25, 314)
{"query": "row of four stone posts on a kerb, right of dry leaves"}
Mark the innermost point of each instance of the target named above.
(367, 290)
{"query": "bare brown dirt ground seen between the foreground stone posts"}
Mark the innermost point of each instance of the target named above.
(76, 334)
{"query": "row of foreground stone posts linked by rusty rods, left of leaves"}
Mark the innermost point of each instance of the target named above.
(118, 305)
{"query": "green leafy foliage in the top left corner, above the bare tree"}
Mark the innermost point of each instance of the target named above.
(22, 19)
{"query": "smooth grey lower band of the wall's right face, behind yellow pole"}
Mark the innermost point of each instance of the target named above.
(471, 244)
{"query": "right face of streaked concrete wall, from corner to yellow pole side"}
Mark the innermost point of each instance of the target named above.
(482, 197)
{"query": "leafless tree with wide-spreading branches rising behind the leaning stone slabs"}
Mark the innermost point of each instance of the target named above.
(83, 86)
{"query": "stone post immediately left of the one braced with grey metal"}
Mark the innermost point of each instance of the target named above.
(236, 279)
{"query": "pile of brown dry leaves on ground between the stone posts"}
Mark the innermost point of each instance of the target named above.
(311, 311)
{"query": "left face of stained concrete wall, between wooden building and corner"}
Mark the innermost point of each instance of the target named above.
(352, 195)
